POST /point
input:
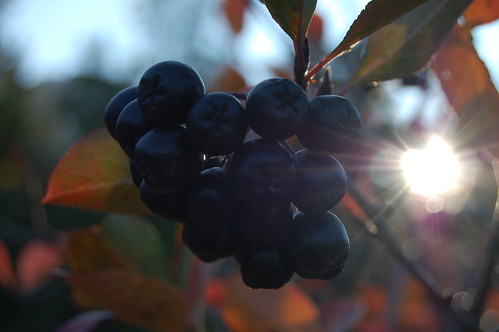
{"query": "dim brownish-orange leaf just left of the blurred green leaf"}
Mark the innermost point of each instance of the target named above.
(88, 252)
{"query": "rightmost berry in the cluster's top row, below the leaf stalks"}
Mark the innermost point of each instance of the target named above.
(332, 126)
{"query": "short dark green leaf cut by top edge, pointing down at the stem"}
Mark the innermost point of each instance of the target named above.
(293, 16)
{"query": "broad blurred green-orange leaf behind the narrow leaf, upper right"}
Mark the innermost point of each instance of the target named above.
(406, 45)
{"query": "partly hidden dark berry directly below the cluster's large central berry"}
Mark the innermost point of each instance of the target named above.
(265, 226)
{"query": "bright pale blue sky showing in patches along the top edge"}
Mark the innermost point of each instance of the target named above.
(52, 36)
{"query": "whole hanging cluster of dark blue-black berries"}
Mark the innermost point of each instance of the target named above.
(254, 199)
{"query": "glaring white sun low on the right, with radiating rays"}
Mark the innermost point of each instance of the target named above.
(432, 171)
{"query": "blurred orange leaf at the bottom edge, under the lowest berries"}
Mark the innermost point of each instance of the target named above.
(248, 310)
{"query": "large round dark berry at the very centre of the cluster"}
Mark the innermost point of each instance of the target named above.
(261, 172)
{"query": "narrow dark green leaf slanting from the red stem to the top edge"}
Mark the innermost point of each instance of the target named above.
(376, 15)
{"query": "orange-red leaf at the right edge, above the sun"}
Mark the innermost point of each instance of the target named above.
(466, 82)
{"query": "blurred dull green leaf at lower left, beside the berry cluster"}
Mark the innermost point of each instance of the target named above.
(139, 242)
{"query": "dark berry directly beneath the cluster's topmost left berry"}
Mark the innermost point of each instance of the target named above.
(167, 158)
